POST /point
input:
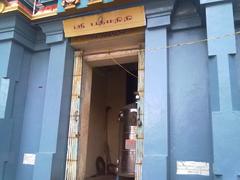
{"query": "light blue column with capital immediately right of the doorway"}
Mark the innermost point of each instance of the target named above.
(155, 161)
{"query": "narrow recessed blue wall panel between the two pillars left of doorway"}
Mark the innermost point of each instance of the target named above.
(32, 122)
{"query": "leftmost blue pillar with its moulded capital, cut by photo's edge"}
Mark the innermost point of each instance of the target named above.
(13, 78)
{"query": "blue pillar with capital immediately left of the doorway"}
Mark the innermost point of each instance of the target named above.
(50, 160)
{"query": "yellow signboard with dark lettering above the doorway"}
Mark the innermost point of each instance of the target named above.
(105, 22)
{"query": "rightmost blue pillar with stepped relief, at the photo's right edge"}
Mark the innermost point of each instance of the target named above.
(226, 122)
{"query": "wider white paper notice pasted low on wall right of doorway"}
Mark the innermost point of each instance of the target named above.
(192, 168)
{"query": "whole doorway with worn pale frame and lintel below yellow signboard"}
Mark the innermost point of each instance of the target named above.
(104, 82)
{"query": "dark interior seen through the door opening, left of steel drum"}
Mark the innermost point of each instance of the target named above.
(112, 89)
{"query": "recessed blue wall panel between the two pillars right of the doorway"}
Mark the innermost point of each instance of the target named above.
(190, 119)
